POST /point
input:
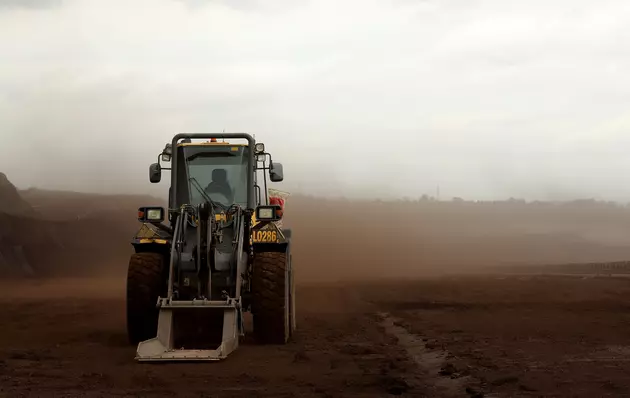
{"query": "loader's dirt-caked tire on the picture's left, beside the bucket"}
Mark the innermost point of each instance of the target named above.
(145, 282)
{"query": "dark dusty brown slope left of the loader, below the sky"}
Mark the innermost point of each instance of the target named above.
(50, 233)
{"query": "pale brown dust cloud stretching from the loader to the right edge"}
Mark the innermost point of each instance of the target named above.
(368, 240)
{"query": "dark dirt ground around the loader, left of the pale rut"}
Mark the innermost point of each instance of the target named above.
(65, 341)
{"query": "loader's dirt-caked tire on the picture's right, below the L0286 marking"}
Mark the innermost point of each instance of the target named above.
(271, 293)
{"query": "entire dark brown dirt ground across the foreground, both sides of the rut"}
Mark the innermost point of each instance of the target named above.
(452, 336)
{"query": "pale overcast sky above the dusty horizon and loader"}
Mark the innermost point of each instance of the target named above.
(488, 99)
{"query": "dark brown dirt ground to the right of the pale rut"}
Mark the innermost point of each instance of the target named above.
(523, 336)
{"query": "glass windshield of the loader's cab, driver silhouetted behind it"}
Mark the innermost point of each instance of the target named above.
(219, 170)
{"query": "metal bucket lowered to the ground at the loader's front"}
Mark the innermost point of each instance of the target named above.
(193, 331)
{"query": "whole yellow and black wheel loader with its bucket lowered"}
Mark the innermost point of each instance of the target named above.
(216, 253)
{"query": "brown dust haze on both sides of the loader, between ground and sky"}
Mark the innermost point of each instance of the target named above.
(66, 234)
